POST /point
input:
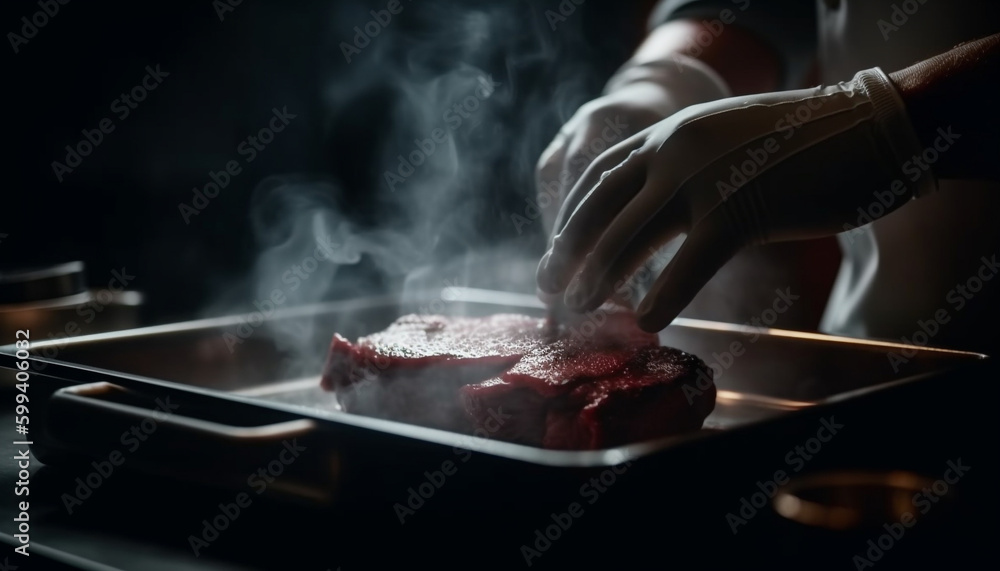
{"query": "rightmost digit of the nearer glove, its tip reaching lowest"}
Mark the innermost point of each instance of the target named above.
(709, 245)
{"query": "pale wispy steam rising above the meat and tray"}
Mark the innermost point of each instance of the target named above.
(456, 131)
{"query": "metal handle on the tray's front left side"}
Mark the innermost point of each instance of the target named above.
(97, 420)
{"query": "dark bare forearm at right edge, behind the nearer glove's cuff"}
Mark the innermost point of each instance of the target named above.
(957, 90)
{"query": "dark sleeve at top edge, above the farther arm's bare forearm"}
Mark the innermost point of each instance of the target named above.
(788, 26)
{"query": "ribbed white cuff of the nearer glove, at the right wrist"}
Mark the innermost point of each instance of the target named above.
(893, 121)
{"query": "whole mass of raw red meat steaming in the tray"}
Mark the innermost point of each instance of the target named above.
(599, 382)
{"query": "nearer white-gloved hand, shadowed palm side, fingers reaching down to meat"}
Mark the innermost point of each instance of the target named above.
(731, 173)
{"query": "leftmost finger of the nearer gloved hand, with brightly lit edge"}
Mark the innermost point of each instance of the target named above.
(618, 182)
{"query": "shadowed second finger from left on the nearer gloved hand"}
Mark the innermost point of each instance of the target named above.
(630, 241)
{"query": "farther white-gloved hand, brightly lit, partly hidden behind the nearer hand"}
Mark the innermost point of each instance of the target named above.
(636, 97)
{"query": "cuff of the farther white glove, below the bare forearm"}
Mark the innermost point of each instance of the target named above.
(693, 81)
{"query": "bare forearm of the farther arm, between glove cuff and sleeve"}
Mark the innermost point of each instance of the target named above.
(744, 62)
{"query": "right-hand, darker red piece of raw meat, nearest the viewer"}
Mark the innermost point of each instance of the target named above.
(629, 396)
